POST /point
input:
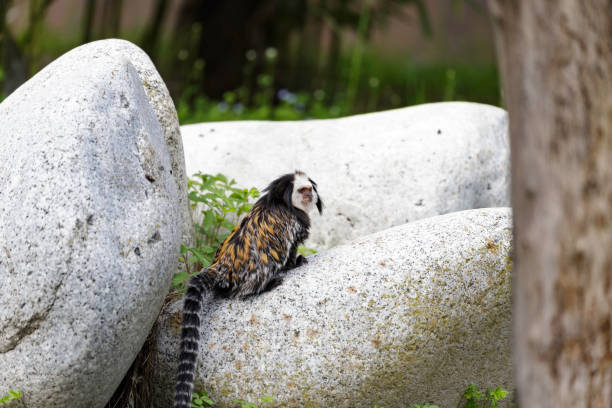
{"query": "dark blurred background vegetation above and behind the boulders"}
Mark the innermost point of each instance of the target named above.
(271, 59)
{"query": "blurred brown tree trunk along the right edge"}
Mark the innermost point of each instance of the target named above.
(556, 64)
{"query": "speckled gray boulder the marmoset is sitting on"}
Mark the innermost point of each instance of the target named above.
(408, 315)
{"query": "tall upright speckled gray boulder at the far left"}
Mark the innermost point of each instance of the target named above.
(90, 223)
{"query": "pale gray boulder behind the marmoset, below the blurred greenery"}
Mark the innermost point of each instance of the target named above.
(374, 171)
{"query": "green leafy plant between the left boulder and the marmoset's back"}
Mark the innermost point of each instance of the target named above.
(219, 203)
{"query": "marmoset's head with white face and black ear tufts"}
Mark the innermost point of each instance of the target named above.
(296, 190)
